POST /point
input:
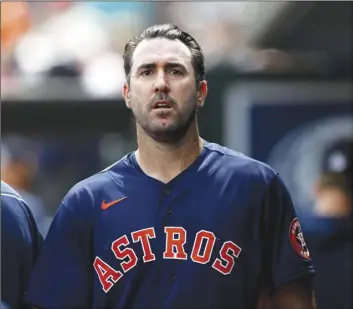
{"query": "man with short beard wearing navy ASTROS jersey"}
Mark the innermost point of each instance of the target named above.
(180, 222)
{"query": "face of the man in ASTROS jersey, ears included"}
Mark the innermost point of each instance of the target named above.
(162, 92)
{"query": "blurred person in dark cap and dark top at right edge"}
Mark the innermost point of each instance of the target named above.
(330, 236)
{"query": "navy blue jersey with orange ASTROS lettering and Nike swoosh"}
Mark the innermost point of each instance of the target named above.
(209, 238)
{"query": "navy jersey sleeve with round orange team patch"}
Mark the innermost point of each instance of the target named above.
(286, 255)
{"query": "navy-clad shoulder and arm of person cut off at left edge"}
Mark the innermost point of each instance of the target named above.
(20, 244)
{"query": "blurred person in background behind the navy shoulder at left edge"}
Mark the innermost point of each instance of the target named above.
(19, 165)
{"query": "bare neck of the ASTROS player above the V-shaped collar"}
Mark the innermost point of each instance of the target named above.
(164, 161)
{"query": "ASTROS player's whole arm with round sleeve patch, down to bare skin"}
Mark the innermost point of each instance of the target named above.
(287, 264)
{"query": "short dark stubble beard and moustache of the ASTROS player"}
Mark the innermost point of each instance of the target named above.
(173, 132)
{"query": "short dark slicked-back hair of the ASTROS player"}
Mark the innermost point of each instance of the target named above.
(171, 32)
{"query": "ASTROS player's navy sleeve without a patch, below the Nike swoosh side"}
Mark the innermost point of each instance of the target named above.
(62, 276)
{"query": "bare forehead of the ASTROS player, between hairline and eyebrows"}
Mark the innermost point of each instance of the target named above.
(161, 50)
